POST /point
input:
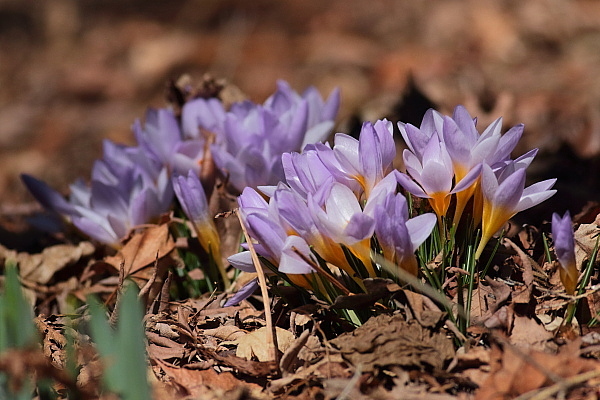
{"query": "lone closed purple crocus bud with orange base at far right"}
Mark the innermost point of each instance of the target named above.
(564, 247)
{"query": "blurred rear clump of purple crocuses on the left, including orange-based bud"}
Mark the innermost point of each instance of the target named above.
(134, 185)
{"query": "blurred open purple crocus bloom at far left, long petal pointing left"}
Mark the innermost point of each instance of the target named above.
(126, 190)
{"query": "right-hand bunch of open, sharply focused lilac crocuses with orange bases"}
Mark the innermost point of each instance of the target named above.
(447, 156)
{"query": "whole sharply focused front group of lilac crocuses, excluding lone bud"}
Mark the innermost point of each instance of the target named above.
(341, 204)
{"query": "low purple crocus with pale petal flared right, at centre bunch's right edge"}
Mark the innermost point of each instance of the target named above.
(399, 236)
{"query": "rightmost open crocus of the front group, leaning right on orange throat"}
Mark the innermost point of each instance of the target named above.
(503, 198)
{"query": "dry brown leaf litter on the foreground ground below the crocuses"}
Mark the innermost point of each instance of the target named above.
(198, 349)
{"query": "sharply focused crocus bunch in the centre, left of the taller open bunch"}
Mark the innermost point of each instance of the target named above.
(335, 199)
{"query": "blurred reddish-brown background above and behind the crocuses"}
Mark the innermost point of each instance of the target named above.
(73, 72)
